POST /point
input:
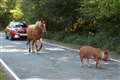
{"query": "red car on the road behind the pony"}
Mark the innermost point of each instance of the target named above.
(16, 30)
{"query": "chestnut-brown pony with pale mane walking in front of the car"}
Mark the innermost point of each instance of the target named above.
(35, 33)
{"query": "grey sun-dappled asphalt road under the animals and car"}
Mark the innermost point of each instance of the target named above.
(52, 63)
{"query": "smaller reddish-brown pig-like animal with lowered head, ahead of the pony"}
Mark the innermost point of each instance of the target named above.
(89, 52)
